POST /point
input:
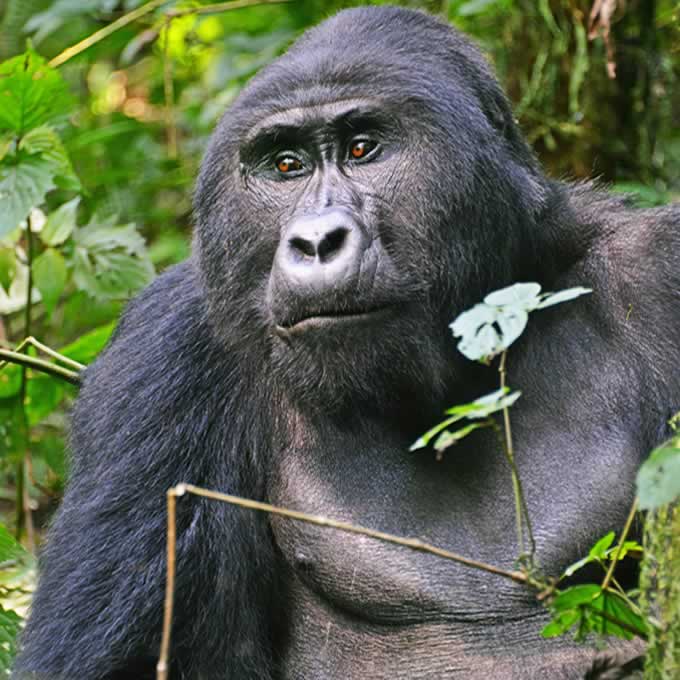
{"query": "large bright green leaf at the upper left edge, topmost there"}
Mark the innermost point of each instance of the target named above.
(31, 93)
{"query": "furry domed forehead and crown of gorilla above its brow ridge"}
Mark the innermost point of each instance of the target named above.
(400, 54)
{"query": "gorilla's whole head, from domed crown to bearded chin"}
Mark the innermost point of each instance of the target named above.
(345, 200)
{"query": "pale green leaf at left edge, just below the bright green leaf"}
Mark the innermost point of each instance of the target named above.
(23, 186)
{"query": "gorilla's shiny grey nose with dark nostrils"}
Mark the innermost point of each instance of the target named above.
(322, 251)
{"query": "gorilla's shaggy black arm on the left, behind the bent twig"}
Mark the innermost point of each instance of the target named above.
(152, 413)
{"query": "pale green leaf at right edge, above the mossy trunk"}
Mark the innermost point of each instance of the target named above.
(658, 480)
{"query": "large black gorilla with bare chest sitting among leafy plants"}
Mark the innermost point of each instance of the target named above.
(362, 191)
